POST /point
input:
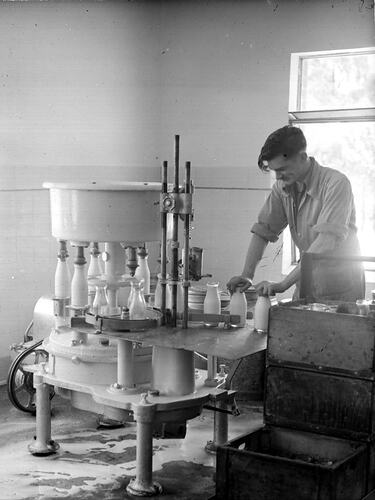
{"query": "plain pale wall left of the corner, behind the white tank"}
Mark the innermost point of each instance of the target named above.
(79, 99)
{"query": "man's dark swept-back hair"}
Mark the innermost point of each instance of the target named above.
(286, 141)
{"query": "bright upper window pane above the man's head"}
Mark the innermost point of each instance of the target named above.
(338, 82)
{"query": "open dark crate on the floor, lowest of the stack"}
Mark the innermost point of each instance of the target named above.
(274, 463)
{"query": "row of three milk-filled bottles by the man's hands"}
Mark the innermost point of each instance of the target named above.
(237, 306)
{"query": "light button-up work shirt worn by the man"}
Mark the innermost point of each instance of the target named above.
(322, 203)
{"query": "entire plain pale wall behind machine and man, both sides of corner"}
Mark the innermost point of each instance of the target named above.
(97, 90)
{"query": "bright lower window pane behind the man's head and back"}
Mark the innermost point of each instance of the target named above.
(350, 148)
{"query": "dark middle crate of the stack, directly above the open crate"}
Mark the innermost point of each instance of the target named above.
(320, 402)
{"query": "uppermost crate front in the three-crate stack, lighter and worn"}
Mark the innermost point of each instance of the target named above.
(333, 341)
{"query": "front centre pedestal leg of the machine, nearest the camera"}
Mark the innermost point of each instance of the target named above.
(143, 485)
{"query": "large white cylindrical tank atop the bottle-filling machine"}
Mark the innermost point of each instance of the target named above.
(105, 211)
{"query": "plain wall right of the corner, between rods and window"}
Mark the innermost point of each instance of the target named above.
(225, 79)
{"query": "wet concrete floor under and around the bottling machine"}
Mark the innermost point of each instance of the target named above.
(97, 463)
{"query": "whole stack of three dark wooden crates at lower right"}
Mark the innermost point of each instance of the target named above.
(318, 438)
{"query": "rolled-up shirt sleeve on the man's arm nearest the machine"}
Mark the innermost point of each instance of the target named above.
(272, 219)
